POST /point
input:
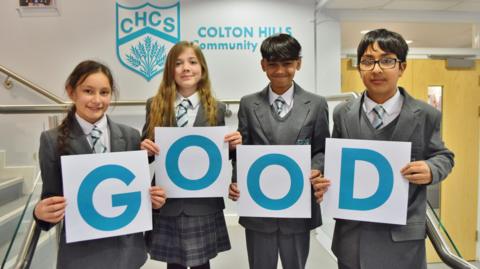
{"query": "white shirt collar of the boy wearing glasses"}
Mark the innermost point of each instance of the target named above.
(392, 107)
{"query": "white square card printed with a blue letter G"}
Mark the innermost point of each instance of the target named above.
(107, 195)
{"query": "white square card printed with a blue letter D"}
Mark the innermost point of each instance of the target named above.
(366, 183)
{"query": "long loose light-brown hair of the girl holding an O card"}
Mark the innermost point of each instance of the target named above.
(162, 110)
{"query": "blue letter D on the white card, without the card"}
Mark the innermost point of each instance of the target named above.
(347, 173)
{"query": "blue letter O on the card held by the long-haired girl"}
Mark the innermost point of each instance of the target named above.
(214, 156)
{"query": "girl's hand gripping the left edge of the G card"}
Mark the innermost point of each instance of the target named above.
(51, 209)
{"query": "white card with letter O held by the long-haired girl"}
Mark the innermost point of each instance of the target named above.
(193, 161)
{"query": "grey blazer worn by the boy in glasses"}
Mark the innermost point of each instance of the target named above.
(418, 123)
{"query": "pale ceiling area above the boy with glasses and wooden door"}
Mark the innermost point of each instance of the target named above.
(428, 23)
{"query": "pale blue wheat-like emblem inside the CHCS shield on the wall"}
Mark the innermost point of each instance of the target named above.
(147, 58)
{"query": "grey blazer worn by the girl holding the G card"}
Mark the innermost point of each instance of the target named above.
(126, 251)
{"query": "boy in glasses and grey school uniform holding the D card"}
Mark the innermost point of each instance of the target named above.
(387, 112)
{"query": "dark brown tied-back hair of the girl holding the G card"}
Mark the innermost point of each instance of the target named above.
(77, 77)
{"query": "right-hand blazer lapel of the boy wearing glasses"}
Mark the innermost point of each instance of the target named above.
(407, 120)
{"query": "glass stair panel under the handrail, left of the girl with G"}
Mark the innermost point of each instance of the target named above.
(19, 189)
